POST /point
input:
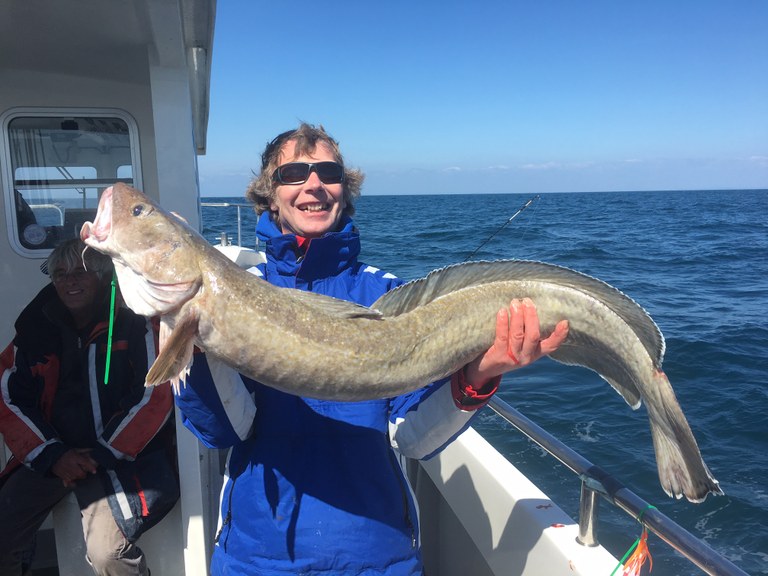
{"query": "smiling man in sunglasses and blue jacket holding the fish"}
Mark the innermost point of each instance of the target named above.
(316, 486)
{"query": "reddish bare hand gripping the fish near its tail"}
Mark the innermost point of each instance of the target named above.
(518, 343)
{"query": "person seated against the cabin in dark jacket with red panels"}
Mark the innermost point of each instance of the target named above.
(73, 427)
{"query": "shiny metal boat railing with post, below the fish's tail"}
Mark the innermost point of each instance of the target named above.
(597, 482)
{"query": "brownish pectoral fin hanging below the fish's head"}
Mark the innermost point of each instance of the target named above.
(176, 349)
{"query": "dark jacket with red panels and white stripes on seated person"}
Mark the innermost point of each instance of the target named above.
(53, 393)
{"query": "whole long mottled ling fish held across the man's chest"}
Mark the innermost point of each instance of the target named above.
(316, 346)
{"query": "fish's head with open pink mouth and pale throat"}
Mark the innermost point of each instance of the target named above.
(151, 249)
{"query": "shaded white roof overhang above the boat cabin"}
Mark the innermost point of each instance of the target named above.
(110, 40)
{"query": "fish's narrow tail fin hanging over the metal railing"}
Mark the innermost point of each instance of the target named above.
(682, 472)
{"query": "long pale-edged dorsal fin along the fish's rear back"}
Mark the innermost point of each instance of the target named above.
(452, 278)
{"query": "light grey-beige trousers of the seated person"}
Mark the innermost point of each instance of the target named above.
(26, 499)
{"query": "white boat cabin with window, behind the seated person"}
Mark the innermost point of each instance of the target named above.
(95, 92)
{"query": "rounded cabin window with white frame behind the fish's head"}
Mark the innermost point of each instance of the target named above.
(55, 169)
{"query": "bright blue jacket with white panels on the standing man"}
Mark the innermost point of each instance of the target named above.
(316, 487)
